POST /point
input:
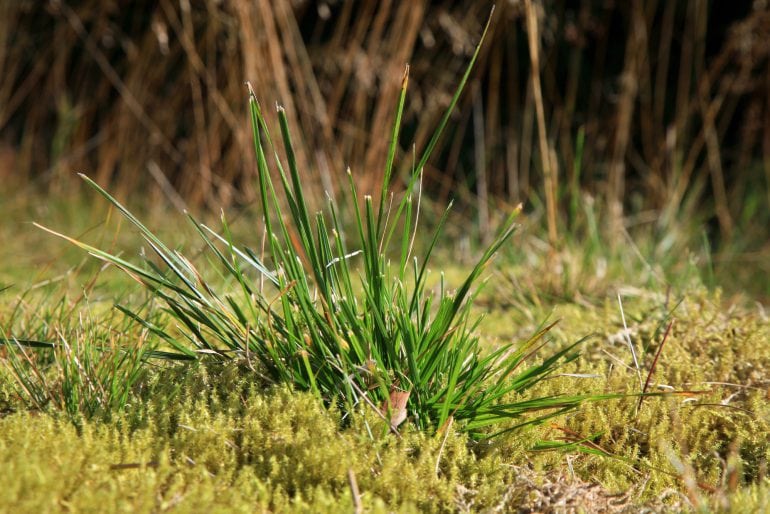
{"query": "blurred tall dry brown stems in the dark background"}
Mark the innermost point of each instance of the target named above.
(671, 98)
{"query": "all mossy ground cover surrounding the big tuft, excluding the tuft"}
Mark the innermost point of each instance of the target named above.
(215, 437)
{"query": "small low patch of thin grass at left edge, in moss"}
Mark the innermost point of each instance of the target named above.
(74, 361)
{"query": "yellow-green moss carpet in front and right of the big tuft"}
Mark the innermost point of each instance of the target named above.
(214, 438)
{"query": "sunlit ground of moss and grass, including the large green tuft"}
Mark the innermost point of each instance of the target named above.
(267, 366)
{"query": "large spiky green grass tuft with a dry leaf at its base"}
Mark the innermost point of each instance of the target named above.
(373, 336)
